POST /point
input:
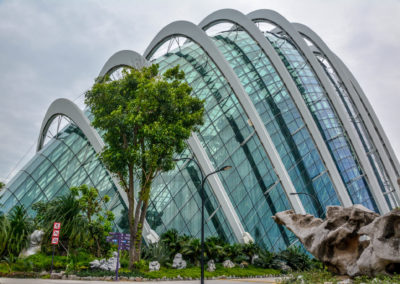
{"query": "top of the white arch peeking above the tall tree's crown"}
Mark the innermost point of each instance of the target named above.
(123, 58)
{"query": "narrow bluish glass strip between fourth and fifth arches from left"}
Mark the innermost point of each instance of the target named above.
(326, 118)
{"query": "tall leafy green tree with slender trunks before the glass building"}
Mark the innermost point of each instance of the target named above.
(146, 118)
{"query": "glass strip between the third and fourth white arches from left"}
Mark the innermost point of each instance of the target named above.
(281, 119)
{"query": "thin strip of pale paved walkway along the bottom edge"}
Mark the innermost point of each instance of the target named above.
(220, 281)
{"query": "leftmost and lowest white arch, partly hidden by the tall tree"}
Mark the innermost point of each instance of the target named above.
(72, 111)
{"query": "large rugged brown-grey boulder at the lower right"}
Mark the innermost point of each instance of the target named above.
(350, 241)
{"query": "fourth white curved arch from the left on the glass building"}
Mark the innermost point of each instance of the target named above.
(238, 18)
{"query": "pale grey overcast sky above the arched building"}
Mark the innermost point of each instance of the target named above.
(54, 49)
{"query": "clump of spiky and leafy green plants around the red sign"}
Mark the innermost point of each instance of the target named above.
(84, 222)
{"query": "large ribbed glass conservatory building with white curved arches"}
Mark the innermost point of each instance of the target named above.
(281, 108)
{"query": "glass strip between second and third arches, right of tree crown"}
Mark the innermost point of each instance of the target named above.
(228, 139)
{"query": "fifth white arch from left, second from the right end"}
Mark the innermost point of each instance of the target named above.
(278, 20)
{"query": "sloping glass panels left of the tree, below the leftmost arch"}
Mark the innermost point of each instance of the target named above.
(67, 160)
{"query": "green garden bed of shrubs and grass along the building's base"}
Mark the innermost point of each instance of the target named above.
(77, 249)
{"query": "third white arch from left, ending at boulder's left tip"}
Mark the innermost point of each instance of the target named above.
(194, 33)
